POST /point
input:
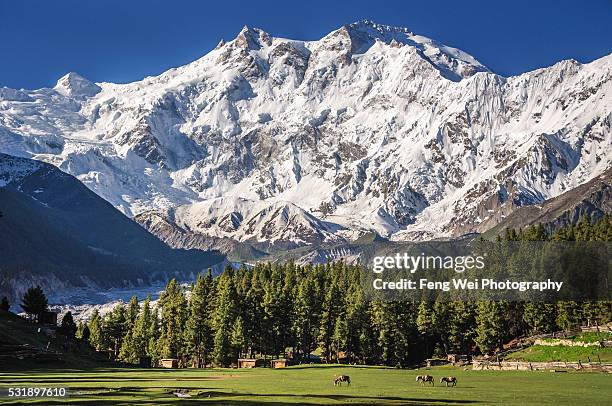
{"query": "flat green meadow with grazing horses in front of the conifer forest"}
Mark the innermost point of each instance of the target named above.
(313, 385)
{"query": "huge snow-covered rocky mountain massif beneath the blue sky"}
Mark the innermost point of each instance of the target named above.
(280, 141)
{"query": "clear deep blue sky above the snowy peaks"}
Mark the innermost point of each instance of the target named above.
(122, 41)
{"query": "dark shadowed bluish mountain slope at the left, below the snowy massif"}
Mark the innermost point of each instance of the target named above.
(56, 232)
